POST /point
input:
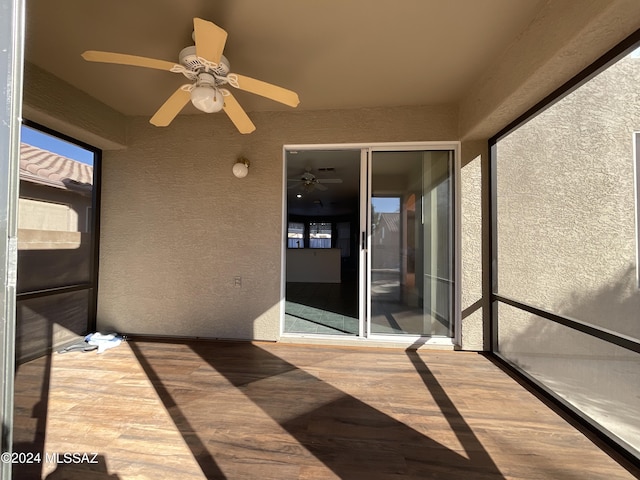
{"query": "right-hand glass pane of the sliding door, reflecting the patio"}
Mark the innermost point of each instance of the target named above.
(412, 243)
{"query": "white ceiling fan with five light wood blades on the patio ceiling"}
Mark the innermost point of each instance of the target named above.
(208, 70)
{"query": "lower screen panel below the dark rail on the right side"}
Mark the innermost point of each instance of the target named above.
(600, 379)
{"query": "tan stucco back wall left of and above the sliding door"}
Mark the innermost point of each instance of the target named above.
(177, 227)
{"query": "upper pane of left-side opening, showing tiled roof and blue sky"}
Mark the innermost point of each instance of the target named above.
(54, 224)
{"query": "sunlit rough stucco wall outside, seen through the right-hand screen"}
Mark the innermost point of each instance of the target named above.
(566, 213)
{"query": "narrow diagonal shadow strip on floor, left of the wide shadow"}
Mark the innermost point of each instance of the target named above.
(198, 448)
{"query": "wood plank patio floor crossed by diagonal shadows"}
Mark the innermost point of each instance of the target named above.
(232, 410)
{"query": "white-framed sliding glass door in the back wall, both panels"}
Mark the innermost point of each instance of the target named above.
(369, 247)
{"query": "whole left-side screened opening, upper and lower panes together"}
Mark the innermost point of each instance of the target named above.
(54, 242)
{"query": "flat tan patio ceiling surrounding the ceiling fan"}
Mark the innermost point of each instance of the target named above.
(334, 53)
